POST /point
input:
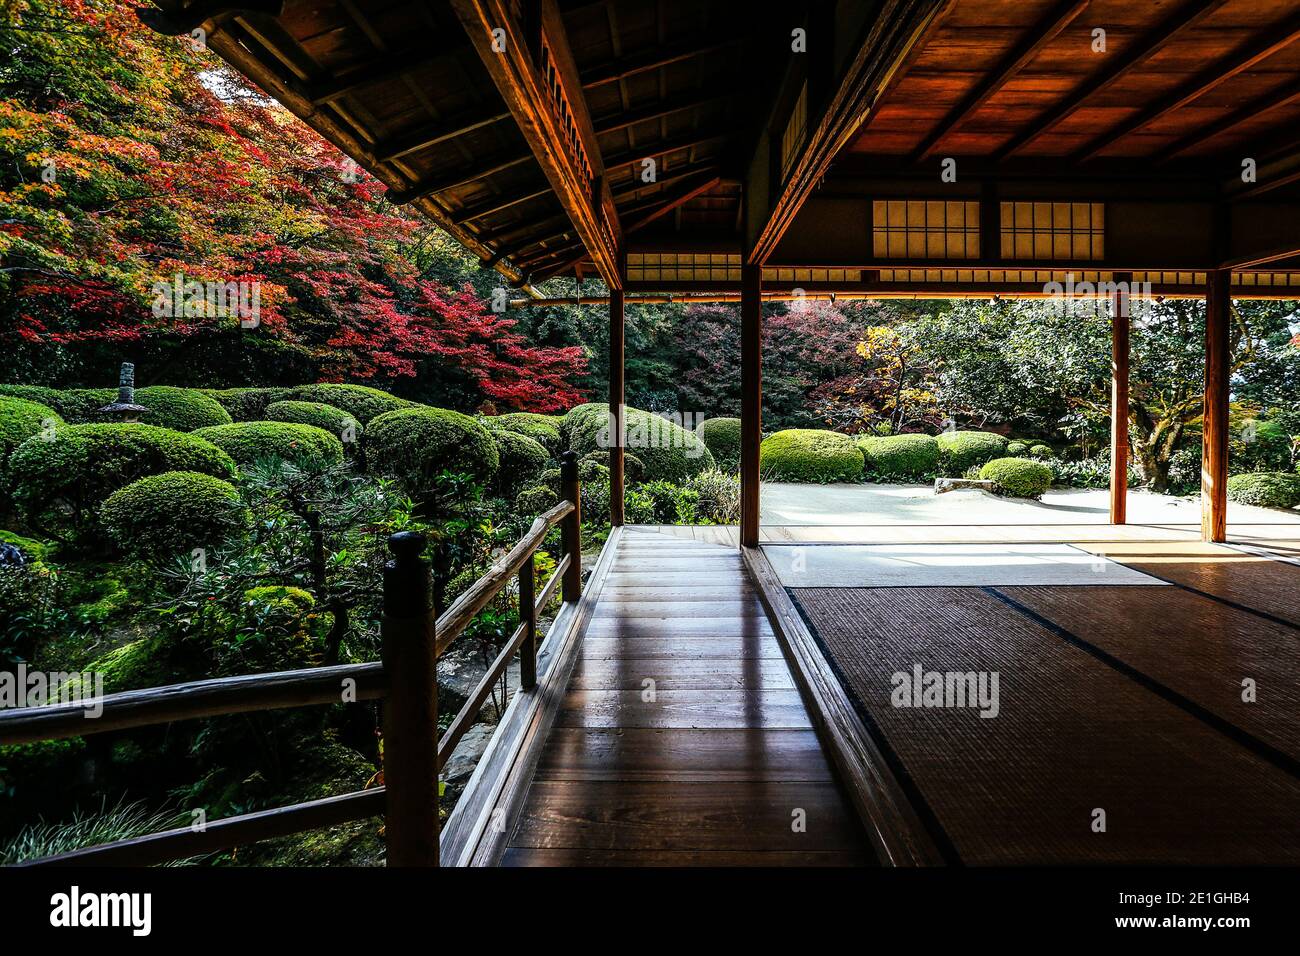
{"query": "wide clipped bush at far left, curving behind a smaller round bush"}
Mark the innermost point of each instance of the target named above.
(60, 483)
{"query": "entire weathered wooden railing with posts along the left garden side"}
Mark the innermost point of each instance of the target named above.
(406, 681)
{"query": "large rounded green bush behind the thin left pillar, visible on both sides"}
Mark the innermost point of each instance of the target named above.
(668, 451)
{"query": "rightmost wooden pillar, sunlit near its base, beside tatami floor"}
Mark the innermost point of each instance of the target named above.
(1219, 306)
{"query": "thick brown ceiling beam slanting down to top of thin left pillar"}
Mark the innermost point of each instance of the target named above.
(551, 110)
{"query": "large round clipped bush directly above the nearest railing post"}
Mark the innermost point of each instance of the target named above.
(418, 444)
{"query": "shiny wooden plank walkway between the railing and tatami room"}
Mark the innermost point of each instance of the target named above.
(682, 738)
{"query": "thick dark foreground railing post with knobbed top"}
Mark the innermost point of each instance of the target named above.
(411, 707)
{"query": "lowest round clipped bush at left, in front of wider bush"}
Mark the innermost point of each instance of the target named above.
(167, 514)
